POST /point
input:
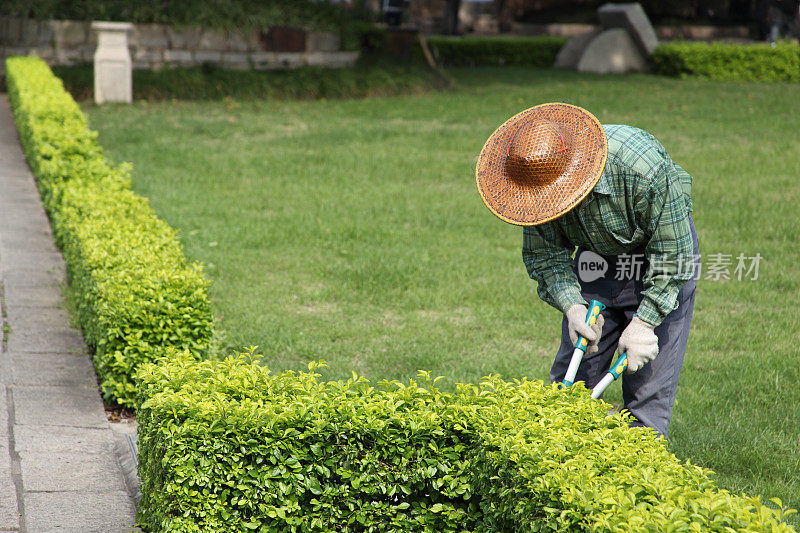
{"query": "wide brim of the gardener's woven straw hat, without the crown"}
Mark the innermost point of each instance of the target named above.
(526, 205)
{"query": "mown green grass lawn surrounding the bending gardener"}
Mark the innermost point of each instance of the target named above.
(351, 231)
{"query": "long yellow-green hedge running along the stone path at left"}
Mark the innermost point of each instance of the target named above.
(134, 292)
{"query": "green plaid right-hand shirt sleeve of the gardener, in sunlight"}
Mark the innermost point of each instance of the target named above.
(661, 208)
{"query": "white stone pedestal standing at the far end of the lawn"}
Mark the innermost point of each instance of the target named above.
(113, 80)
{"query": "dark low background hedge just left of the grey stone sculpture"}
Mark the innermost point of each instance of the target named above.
(490, 51)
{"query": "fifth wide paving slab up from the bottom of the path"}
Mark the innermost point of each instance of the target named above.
(52, 369)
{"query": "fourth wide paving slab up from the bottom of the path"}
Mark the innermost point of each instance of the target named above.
(58, 406)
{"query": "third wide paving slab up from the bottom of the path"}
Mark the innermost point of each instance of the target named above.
(62, 439)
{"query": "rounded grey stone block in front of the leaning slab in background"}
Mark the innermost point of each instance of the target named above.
(612, 51)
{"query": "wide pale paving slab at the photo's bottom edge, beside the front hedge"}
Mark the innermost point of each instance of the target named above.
(87, 512)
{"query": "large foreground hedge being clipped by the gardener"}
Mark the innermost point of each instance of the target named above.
(228, 446)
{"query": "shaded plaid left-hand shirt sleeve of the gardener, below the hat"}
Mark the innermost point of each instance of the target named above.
(548, 257)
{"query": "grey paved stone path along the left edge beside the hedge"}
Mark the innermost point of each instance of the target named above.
(61, 468)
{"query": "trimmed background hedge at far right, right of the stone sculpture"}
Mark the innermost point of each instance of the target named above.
(735, 62)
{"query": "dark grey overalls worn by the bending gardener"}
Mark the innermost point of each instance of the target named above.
(649, 393)
